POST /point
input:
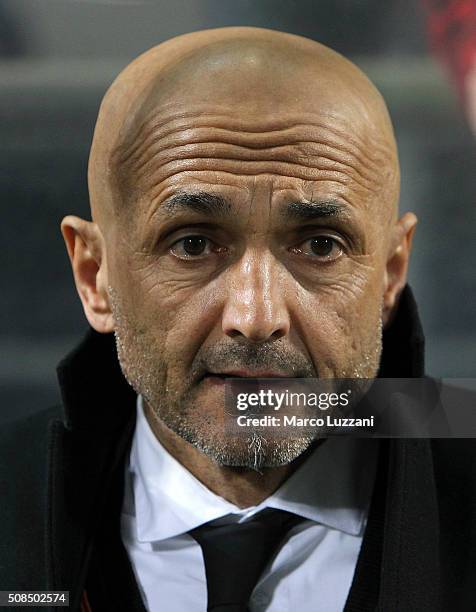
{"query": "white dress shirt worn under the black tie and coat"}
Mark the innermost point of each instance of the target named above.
(314, 566)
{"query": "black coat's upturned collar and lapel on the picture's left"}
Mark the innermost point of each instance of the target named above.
(84, 449)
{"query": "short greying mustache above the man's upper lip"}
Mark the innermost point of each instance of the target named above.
(253, 357)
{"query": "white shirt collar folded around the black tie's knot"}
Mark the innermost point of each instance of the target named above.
(332, 487)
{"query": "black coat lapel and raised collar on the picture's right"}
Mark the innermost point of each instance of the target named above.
(410, 571)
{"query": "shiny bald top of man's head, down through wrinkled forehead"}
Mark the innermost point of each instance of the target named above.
(266, 89)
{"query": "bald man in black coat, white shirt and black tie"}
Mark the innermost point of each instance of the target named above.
(244, 188)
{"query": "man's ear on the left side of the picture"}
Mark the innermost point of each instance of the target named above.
(87, 253)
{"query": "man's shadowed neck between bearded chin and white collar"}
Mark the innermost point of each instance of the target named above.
(241, 486)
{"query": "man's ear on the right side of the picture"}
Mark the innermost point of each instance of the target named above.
(397, 264)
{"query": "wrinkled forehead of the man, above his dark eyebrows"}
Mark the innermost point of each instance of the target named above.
(303, 153)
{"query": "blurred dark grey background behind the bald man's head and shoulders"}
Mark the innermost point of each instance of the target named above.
(56, 61)
